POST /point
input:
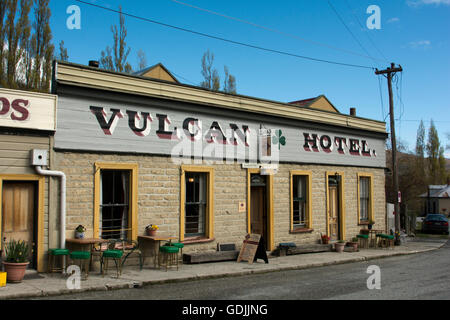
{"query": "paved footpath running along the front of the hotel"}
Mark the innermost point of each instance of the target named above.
(42, 284)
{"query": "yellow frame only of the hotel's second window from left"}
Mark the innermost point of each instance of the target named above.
(209, 228)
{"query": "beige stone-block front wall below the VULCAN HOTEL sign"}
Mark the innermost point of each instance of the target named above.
(159, 197)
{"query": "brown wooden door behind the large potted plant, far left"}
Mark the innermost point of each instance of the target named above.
(18, 208)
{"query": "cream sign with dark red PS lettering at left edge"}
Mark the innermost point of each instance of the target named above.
(27, 110)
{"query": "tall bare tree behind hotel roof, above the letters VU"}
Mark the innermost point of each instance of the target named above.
(115, 59)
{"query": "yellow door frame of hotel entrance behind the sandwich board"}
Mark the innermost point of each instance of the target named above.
(269, 190)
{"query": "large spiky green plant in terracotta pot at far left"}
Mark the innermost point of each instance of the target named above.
(16, 260)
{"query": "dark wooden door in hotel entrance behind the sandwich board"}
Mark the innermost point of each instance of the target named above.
(257, 211)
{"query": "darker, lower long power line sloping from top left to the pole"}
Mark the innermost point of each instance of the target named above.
(227, 40)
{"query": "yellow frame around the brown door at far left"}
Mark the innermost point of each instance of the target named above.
(39, 207)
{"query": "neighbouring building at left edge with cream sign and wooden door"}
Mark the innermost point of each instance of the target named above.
(27, 123)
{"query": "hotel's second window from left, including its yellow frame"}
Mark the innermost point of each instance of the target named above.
(197, 221)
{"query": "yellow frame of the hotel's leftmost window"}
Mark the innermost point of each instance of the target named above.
(132, 213)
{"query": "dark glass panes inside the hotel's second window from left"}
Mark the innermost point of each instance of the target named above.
(195, 212)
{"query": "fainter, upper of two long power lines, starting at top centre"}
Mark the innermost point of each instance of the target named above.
(272, 30)
